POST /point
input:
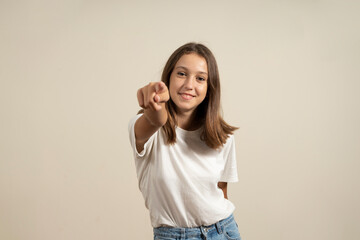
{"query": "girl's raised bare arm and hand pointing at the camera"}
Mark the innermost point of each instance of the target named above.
(152, 99)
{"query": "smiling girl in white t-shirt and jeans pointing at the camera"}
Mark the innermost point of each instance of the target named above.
(184, 151)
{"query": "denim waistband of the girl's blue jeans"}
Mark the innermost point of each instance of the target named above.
(218, 226)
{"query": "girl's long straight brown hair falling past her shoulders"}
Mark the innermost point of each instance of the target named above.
(216, 130)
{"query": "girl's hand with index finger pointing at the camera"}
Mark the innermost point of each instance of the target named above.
(153, 95)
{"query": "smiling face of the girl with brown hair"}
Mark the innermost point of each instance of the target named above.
(188, 82)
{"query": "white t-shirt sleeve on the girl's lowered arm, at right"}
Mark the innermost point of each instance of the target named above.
(230, 170)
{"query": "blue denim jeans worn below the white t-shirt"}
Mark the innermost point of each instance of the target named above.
(226, 229)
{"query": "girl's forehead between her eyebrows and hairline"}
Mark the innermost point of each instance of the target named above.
(192, 62)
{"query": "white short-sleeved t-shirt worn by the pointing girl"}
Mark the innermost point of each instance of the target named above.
(179, 182)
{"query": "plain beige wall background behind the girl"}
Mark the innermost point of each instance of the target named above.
(69, 71)
